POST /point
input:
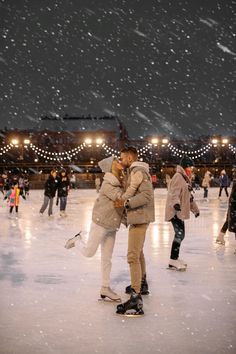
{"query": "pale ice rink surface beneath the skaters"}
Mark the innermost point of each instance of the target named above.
(49, 295)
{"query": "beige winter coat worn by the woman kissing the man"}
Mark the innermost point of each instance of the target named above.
(104, 212)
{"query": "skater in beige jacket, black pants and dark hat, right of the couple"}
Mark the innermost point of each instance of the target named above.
(179, 203)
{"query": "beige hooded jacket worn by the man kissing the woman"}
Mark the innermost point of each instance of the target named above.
(141, 205)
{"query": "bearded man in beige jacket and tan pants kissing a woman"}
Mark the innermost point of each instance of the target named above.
(138, 201)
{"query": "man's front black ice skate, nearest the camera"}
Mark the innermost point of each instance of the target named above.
(131, 308)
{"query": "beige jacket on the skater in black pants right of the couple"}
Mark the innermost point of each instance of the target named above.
(179, 193)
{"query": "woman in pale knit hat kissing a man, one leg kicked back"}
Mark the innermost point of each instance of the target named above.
(106, 220)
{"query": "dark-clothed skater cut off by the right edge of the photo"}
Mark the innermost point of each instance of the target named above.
(230, 222)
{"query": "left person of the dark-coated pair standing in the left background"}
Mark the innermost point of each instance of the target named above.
(49, 192)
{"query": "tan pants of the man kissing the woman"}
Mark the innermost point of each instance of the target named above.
(135, 256)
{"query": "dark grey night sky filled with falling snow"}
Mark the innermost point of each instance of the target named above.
(162, 67)
